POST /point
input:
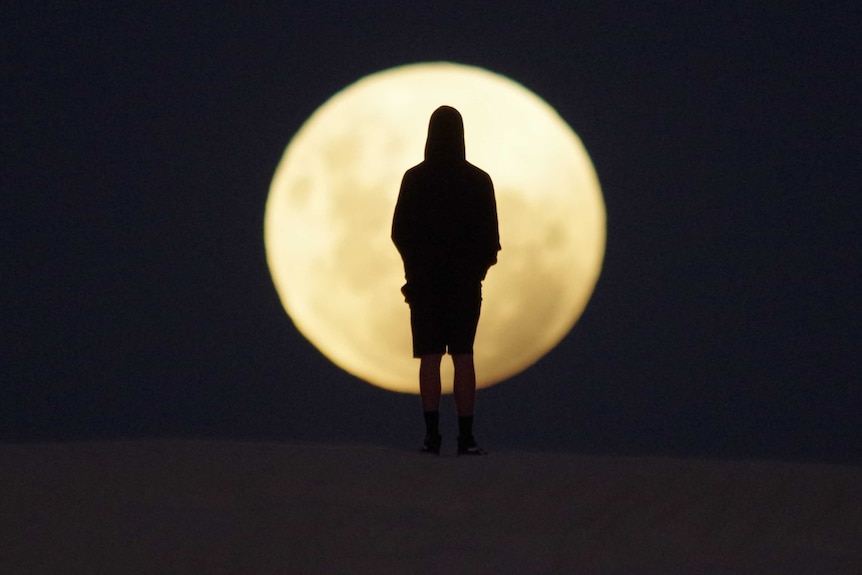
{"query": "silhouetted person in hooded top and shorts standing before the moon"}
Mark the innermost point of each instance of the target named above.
(445, 228)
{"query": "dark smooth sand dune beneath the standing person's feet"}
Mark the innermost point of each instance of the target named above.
(228, 507)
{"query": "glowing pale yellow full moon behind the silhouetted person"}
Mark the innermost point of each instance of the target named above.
(329, 213)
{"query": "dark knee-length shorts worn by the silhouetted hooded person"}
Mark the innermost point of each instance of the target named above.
(445, 322)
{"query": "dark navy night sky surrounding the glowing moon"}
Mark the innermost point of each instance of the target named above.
(138, 147)
